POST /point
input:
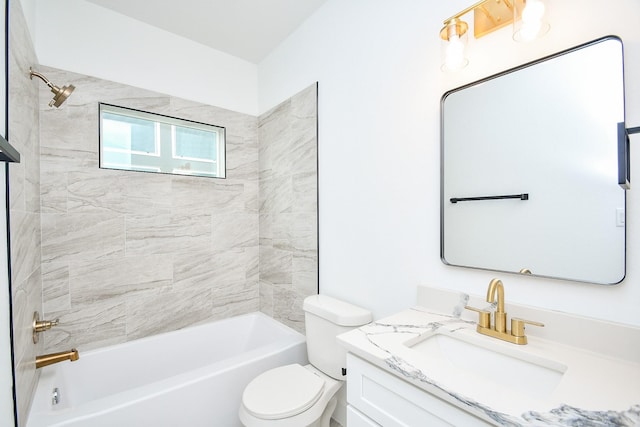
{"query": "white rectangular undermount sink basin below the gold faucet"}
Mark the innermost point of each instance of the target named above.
(499, 365)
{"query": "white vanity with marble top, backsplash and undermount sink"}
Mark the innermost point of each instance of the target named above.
(429, 366)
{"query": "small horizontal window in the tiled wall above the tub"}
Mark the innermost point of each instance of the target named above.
(140, 141)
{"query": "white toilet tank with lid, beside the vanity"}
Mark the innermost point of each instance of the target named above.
(325, 318)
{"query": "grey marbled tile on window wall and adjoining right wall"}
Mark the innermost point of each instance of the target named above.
(131, 254)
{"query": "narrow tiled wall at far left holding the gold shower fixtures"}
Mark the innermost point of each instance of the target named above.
(24, 205)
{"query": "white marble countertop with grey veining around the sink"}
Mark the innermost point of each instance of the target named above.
(595, 389)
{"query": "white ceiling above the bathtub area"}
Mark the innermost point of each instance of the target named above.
(247, 29)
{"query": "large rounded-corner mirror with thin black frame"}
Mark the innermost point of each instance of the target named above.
(530, 168)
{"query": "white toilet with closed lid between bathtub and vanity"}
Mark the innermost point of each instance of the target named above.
(296, 395)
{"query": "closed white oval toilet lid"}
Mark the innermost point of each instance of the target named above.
(282, 392)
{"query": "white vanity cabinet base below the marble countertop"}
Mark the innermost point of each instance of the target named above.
(378, 398)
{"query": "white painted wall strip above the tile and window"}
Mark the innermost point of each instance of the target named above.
(79, 36)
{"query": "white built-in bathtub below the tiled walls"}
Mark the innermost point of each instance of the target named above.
(192, 377)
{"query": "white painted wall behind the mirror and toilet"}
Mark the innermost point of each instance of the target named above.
(377, 64)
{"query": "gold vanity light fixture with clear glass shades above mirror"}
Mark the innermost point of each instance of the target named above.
(526, 16)
